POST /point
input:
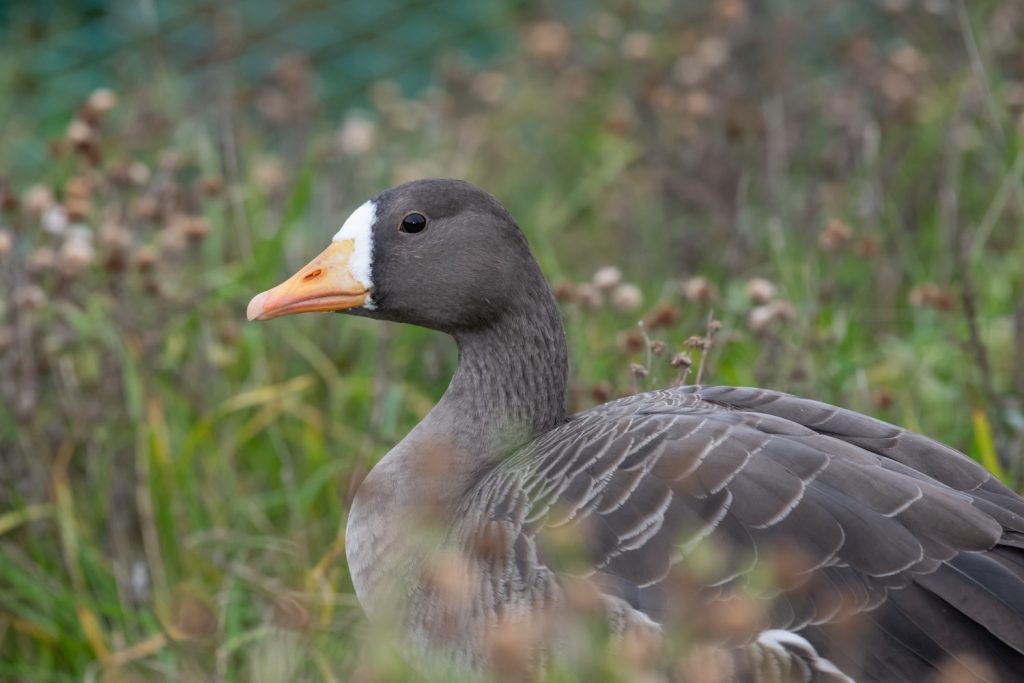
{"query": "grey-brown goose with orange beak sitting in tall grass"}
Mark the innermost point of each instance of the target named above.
(904, 557)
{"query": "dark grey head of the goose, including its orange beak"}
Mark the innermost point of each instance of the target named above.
(438, 253)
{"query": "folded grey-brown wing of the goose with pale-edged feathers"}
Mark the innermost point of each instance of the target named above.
(856, 521)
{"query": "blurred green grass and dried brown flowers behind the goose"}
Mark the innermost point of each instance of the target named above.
(822, 198)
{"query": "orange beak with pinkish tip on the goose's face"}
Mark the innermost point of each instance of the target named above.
(324, 284)
